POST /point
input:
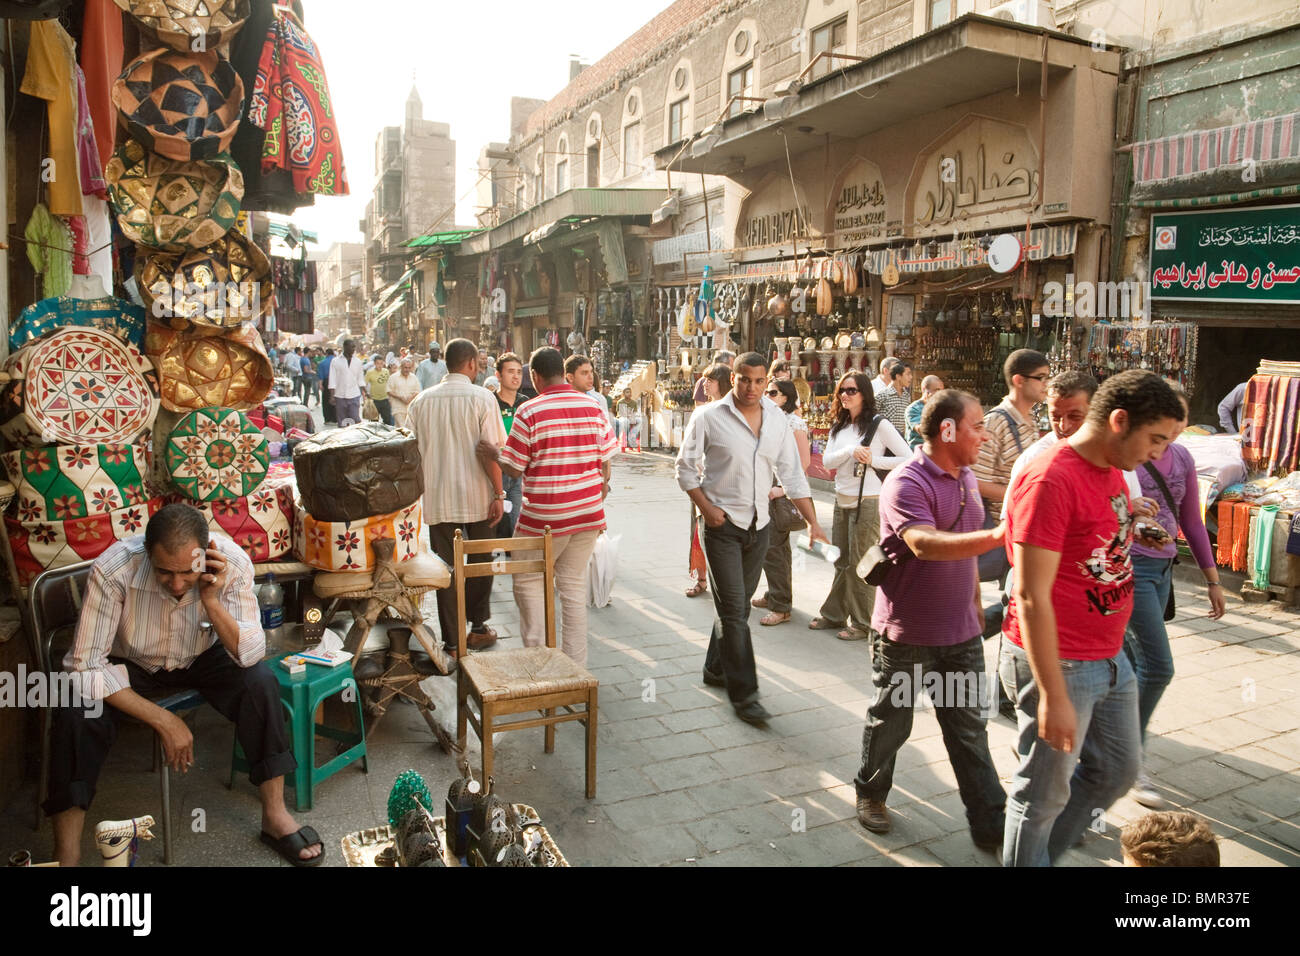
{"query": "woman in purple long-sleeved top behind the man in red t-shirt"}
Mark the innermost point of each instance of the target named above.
(1171, 483)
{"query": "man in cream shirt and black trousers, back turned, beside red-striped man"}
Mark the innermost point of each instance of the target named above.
(462, 490)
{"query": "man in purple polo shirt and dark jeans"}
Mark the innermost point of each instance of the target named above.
(928, 618)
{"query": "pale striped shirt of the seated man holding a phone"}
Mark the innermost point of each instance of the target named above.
(128, 616)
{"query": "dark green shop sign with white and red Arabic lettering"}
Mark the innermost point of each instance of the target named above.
(1229, 256)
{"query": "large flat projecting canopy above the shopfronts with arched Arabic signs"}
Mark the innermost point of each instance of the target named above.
(974, 57)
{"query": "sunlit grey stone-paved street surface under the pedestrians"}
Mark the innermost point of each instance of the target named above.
(684, 782)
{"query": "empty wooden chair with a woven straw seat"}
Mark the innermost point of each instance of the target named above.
(519, 681)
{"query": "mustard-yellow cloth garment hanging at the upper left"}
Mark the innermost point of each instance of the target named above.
(50, 77)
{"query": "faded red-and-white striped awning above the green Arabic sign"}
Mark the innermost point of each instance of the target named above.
(1203, 162)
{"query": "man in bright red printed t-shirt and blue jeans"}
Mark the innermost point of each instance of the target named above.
(1071, 527)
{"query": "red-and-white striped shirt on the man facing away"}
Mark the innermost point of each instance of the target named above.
(560, 440)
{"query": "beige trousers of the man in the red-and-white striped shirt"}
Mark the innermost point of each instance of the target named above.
(571, 555)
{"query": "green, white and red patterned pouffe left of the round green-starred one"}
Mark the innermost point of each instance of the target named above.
(64, 482)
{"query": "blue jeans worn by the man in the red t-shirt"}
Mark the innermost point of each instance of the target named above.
(1055, 795)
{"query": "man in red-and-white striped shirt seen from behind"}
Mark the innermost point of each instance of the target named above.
(562, 445)
